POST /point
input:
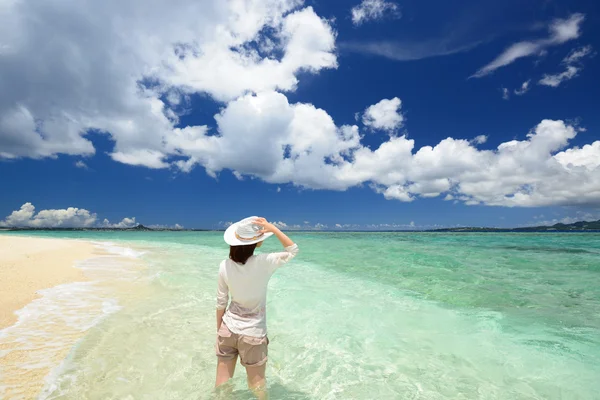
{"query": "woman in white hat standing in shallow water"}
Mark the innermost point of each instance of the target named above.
(242, 329)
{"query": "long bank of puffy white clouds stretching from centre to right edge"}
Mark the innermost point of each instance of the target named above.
(306, 148)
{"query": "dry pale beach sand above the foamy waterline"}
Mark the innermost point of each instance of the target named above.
(30, 264)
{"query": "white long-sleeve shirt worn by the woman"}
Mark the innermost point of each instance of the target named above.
(247, 286)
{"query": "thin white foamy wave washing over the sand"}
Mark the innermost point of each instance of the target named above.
(49, 326)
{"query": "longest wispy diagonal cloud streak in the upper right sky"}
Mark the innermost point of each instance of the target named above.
(561, 31)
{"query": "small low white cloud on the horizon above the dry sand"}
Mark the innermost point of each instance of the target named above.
(62, 218)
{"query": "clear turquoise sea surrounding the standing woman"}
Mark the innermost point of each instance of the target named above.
(354, 316)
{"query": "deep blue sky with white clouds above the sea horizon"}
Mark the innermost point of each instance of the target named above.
(312, 114)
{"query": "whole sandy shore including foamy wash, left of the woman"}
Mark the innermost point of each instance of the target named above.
(62, 287)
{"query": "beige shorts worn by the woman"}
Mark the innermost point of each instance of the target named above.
(253, 351)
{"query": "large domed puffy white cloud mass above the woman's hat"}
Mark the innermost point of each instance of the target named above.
(293, 140)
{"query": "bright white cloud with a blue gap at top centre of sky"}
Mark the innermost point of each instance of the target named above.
(228, 67)
